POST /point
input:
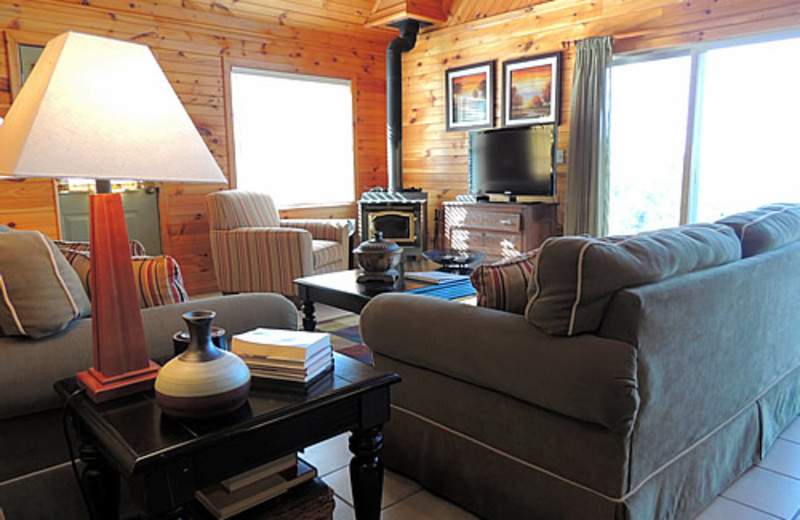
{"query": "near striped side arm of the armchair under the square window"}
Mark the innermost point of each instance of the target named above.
(275, 257)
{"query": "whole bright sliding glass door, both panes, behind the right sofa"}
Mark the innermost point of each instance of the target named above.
(702, 134)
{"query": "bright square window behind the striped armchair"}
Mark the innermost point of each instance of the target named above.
(293, 136)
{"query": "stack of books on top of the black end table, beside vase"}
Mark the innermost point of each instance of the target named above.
(285, 355)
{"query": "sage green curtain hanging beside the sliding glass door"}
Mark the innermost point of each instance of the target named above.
(587, 157)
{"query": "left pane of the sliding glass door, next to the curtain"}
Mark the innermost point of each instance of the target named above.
(649, 103)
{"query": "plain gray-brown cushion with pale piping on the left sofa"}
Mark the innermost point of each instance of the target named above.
(40, 294)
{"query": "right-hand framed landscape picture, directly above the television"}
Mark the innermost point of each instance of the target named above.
(532, 90)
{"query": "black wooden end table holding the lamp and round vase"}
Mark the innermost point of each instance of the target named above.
(164, 460)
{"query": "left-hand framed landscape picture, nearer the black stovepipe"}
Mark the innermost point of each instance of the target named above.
(470, 96)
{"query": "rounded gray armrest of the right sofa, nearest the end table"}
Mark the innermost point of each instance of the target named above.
(585, 377)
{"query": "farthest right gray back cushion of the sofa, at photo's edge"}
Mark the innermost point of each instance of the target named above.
(766, 228)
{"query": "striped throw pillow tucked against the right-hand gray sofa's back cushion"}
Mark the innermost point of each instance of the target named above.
(504, 285)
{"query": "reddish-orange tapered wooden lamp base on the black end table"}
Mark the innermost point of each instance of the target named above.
(121, 363)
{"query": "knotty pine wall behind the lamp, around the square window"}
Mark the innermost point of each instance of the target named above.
(191, 46)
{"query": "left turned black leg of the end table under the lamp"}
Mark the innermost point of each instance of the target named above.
(101, 483)
